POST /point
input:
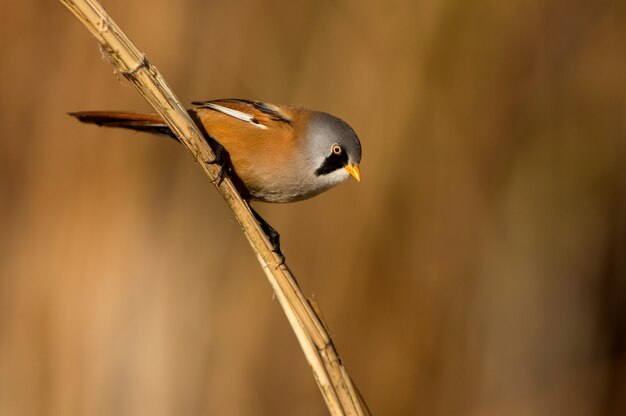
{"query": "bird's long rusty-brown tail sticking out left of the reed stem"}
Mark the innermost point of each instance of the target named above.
(149, 123)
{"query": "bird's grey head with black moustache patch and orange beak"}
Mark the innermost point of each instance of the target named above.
(334, 148)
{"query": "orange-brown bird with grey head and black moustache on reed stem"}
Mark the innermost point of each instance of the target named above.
(273, 153)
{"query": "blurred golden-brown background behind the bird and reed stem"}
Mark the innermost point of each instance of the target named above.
(479, 268)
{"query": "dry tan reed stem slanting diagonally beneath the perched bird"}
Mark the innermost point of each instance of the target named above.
(331, 376)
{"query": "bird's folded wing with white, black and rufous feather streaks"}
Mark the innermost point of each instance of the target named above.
(259, 114)
